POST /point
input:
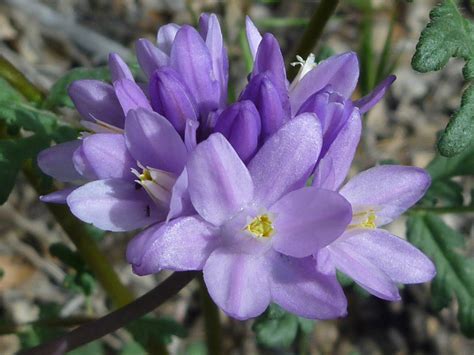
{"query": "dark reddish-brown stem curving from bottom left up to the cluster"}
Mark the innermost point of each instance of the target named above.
(117, 319)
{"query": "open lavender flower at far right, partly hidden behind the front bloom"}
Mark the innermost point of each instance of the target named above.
(372, 257)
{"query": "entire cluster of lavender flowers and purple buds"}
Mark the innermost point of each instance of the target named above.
(224, 188)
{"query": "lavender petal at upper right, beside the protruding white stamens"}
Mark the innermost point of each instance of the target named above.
(341, 72)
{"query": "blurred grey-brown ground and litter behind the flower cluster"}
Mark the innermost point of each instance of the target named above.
(45, 39)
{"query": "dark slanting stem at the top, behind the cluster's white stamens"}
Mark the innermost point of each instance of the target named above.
(313, 33)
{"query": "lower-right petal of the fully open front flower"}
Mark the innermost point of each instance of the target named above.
(300, 289)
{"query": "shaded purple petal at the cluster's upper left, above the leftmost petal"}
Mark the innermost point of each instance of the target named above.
(96, 100)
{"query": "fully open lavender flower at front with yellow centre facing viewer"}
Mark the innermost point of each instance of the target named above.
(255, 228)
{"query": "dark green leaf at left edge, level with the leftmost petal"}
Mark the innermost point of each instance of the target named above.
(13, 153)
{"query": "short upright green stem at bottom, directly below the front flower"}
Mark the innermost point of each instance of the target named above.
(211, 320)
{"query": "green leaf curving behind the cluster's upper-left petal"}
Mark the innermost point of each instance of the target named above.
(58, 96)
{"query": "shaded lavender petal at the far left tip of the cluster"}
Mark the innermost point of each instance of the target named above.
(57, 161)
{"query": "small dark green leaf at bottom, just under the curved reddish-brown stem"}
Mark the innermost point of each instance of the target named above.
(161, 329)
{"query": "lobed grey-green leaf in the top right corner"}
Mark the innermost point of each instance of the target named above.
(448, 35)
